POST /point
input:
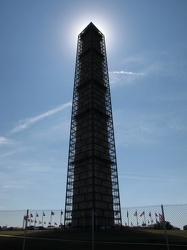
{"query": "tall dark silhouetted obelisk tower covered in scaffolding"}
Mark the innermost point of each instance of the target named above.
(92, 190)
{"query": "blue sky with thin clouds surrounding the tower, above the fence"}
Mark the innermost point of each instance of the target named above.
(147, 59)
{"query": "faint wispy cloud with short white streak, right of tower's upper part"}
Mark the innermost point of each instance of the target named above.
(150, 63)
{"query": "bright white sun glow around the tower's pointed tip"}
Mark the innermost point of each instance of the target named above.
(79, 21)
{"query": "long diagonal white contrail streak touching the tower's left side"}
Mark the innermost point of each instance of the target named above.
(29, 122)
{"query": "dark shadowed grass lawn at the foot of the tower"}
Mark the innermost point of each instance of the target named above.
(104, 240)
